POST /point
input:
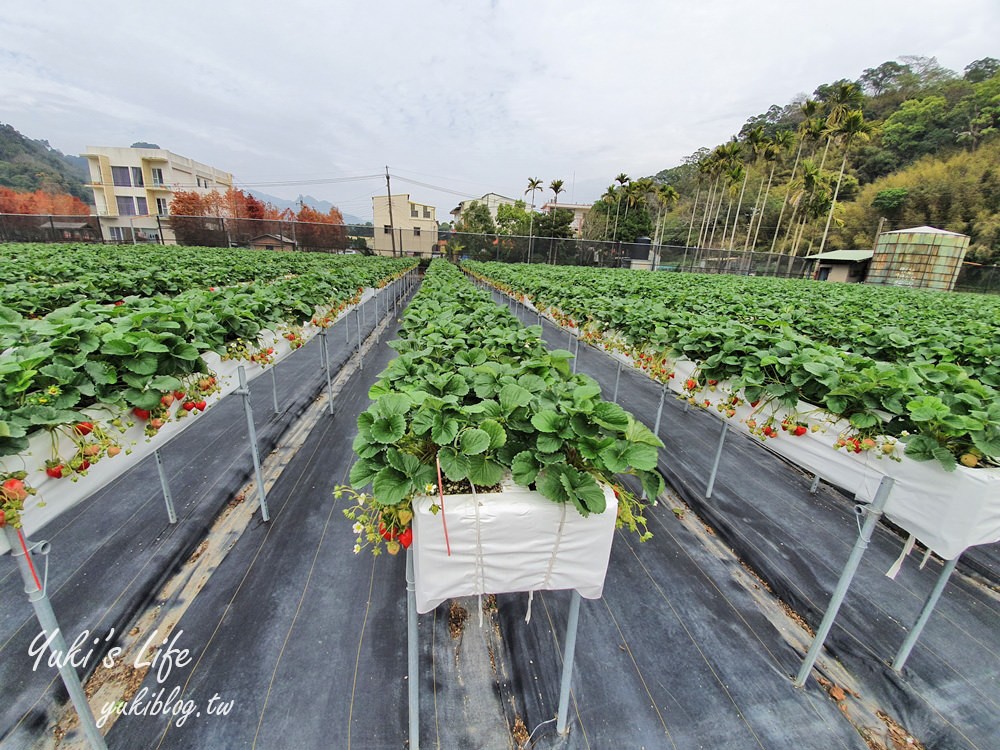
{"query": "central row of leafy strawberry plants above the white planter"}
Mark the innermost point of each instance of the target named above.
(475, 392)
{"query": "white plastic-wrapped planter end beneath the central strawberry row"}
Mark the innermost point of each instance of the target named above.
(507, 541)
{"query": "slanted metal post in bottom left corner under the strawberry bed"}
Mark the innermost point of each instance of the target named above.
(38, 596)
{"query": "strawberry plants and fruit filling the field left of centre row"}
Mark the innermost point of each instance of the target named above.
(105, 345)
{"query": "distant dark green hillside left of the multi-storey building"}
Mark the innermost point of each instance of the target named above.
(27, 165)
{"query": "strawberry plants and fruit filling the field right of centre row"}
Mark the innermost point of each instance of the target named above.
(895, 366)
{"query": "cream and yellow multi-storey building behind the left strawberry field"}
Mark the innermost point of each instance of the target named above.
(133, 187)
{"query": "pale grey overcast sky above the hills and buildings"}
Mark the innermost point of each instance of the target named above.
(469, 96)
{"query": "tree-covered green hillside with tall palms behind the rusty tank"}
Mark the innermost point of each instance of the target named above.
(907, 143)
